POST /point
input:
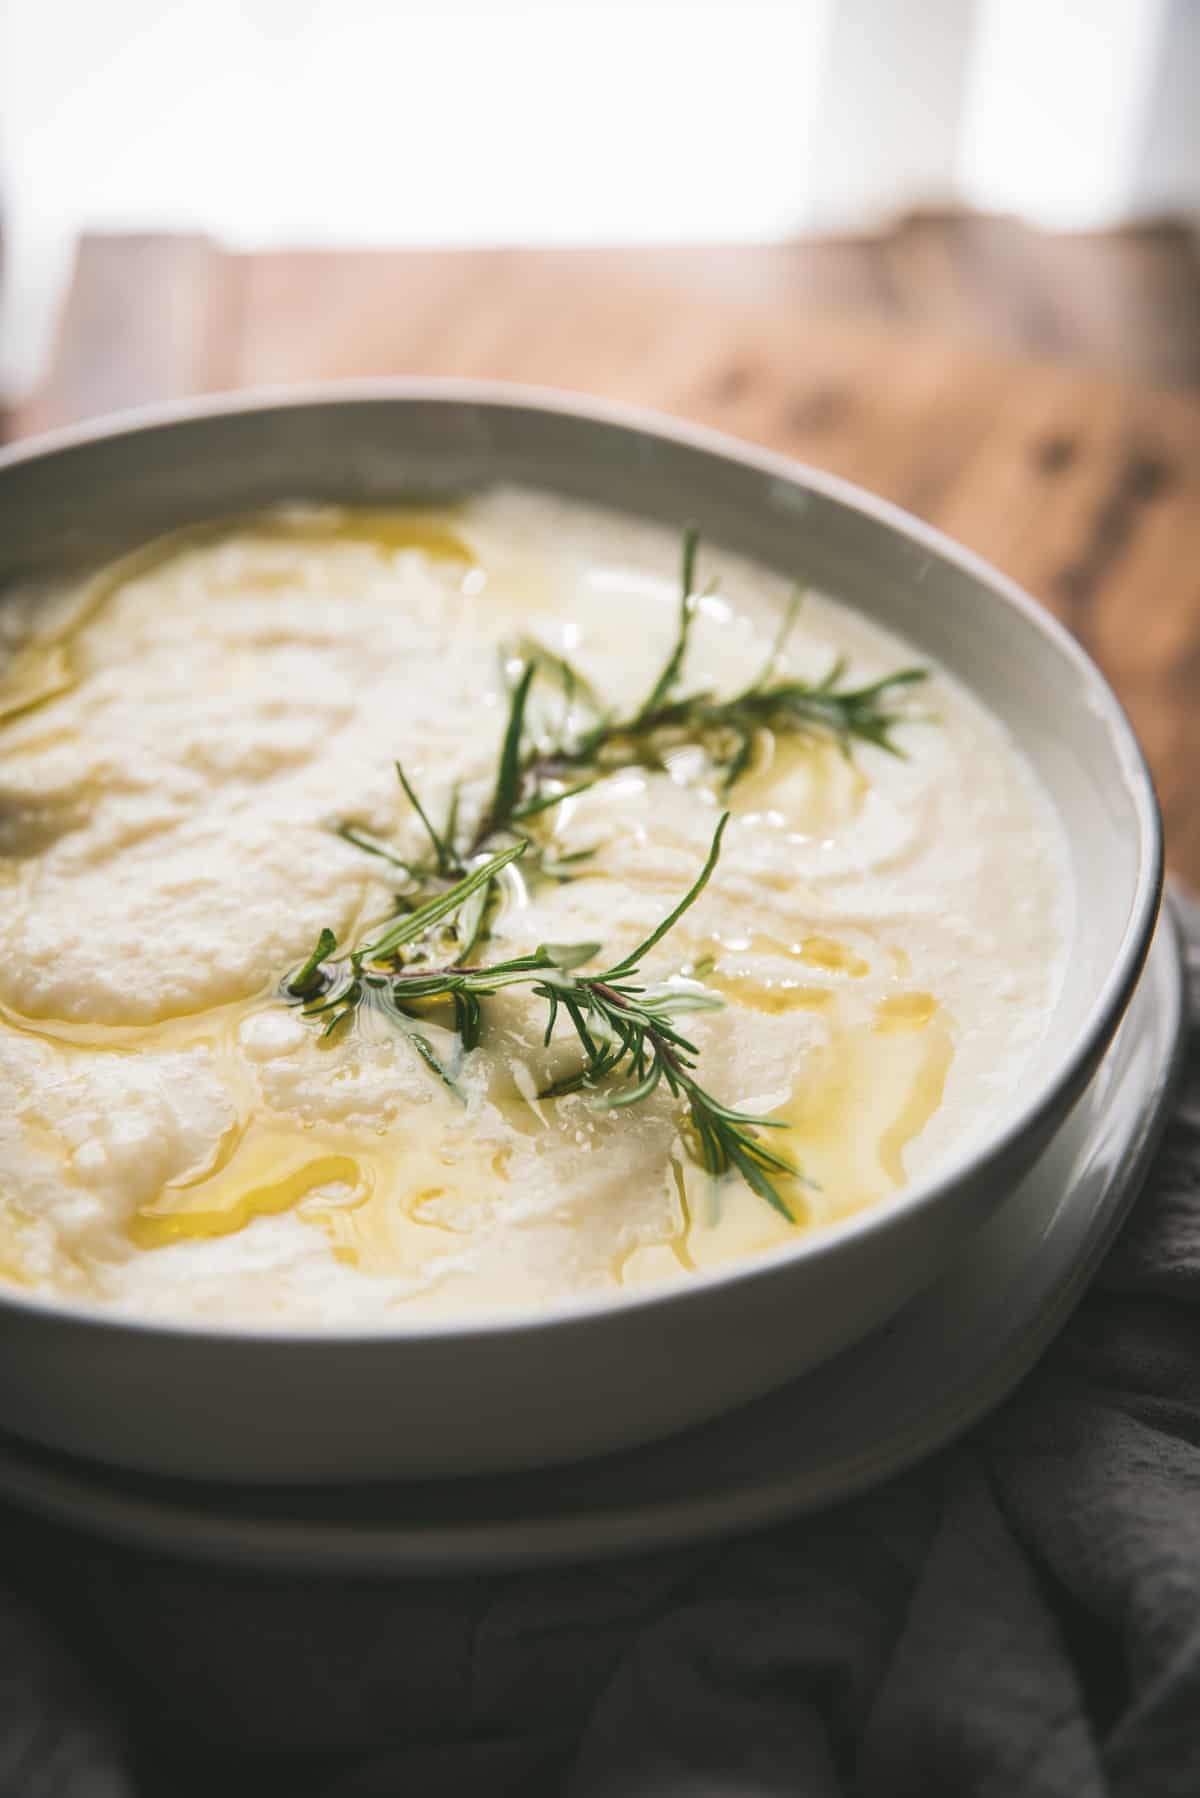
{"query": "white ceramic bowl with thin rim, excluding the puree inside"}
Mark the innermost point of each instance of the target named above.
(587, 1376)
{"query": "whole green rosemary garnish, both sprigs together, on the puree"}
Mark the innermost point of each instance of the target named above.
(627, 1031)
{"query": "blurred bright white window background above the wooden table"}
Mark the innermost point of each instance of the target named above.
(575, 123)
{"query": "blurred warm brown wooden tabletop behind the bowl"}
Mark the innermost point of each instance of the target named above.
(1082, 486)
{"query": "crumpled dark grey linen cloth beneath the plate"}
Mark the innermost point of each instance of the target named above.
(1016, 1619)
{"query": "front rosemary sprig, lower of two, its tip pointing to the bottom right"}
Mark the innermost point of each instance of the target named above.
(629, 1031)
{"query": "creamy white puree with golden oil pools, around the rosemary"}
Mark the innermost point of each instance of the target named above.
(890, 932)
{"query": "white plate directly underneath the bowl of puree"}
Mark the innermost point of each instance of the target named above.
(945, 1360)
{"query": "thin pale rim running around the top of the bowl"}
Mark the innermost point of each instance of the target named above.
(1053, 1092)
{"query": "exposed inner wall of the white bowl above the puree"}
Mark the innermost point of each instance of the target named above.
(94, 495)
